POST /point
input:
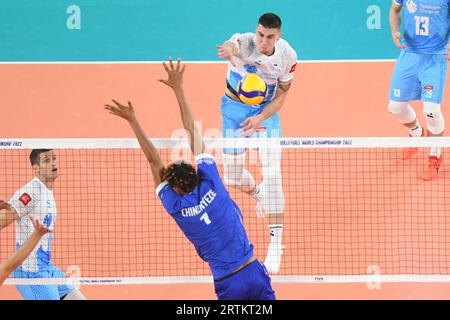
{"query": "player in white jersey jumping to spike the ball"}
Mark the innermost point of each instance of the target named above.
(272, 58)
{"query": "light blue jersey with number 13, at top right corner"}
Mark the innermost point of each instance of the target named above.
(426, 25)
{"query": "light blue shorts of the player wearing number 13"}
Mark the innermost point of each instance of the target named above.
(419, 76)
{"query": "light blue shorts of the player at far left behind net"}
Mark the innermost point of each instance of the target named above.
(42, 292)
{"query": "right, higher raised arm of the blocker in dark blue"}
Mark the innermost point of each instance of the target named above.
(175, 81)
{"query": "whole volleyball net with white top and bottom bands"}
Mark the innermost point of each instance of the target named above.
(353, 210)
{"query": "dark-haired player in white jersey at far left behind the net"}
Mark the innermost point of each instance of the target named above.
(36, 198)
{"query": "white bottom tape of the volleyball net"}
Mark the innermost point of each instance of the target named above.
(208, 279)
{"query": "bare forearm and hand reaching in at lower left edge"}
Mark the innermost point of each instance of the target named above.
(21, 254)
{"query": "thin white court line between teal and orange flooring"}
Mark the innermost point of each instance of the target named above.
(190, 62)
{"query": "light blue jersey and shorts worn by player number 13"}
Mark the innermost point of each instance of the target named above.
(421, 68)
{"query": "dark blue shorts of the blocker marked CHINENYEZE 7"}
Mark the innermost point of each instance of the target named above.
(250, 283)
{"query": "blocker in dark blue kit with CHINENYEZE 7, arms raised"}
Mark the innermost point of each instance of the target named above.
(202, 207)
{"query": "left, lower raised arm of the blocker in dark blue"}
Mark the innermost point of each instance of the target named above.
(127, 113)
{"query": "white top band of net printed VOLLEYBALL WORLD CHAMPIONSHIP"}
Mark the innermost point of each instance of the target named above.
(283, 143)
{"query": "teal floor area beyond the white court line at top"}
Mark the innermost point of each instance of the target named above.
(149, 30)
